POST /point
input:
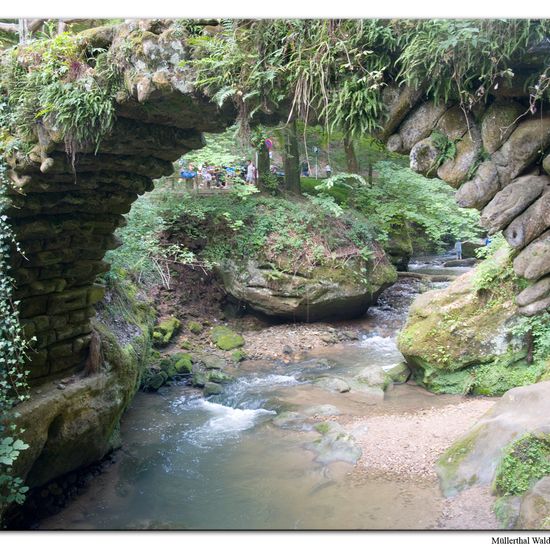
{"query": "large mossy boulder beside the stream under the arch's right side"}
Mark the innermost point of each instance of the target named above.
(463, 339)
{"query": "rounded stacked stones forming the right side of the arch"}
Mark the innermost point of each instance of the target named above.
(500, 167)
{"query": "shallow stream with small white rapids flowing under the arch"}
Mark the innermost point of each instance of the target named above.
(252, 458)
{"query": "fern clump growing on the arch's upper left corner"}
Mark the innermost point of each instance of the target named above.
(65, 82)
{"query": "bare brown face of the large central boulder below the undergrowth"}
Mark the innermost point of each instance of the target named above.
(322, 292)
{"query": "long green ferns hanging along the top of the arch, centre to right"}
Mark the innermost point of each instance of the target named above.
(335, 70)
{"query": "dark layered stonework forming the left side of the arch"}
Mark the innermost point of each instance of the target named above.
(65, 213)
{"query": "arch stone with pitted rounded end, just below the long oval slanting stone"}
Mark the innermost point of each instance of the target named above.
(530, 224)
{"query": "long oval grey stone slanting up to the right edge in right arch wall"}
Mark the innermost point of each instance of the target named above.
(512, 201)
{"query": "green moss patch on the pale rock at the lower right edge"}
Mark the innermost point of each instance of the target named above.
(523, 463)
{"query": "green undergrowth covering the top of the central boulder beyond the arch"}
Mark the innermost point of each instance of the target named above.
(295, 233)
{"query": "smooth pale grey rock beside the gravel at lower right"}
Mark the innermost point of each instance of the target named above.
(474, 458)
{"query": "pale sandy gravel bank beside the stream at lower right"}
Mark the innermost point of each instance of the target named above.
(408, 446)
